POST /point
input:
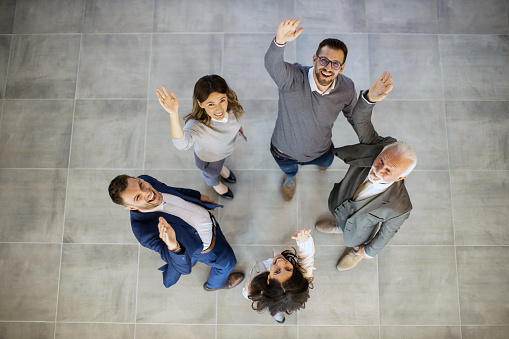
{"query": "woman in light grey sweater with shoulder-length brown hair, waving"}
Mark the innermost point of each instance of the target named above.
(212, 127)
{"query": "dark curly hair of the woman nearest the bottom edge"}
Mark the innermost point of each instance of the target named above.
(287, 297)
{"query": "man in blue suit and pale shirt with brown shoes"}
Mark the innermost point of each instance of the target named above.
(176, 223)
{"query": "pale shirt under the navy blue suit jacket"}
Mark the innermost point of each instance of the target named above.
(195, 215)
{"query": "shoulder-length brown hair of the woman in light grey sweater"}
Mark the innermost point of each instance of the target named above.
(203, 88)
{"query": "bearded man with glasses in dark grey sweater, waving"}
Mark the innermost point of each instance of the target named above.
(310, 100)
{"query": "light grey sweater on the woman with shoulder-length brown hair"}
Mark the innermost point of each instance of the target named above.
(212, 143)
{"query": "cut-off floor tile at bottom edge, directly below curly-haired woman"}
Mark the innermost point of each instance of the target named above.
(254, 332)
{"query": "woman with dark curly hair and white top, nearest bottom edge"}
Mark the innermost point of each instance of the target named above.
(281, 284)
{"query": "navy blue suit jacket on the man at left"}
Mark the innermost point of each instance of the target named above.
(145, 229)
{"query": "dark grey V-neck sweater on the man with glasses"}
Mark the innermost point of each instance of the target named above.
(305, 119)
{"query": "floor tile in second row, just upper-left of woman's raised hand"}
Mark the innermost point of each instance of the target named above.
(114, 66)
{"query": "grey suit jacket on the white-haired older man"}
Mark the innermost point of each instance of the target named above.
(390, 208)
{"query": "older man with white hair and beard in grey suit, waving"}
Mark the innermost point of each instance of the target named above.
(371, 202)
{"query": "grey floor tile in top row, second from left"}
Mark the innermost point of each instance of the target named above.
(38, 17)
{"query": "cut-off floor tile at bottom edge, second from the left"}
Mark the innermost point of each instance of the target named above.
(94, 331)
